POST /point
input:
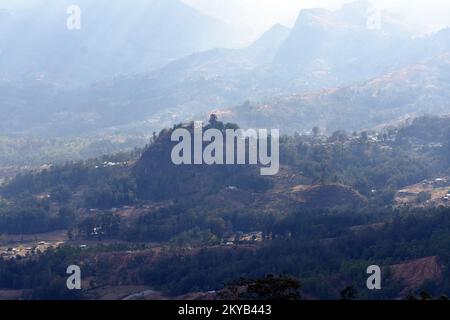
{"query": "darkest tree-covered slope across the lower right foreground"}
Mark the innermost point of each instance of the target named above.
(336, 256)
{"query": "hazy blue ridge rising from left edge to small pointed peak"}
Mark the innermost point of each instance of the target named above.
(186, 87)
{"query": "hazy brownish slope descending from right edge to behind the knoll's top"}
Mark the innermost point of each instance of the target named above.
(416, 90)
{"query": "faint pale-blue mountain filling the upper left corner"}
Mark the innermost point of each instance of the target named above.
(114, 38)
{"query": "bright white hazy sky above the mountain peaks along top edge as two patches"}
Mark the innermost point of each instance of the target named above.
(258, 15)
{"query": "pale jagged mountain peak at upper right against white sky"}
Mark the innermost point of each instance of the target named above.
(335, 37)
